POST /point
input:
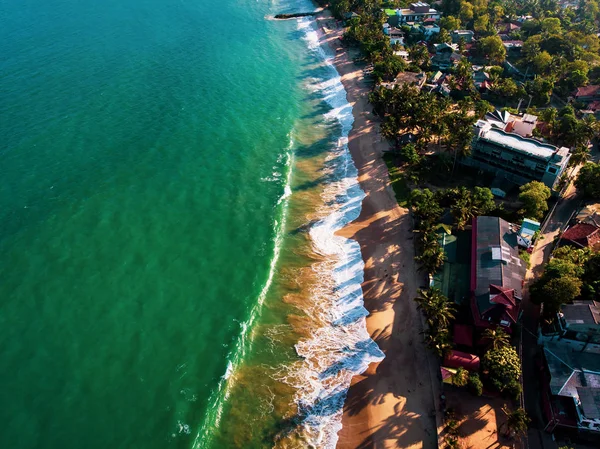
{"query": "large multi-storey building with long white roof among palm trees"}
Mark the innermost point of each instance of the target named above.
(518, 159)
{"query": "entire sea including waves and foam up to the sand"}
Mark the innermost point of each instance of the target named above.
(167, 169)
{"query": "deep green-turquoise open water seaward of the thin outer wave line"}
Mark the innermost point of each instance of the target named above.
(138, 209)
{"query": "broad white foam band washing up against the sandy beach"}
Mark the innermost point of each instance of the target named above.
(341, 346)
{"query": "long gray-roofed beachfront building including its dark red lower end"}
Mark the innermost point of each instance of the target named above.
(497, 274)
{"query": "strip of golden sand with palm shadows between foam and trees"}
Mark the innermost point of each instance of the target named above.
(392, 404)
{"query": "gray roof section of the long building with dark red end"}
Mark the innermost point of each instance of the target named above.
(498, 259)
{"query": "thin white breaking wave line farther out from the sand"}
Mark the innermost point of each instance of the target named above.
(219, 396)
